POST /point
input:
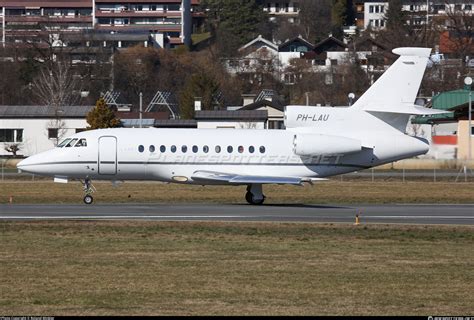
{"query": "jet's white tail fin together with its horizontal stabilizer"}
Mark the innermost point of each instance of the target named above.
(392, 97)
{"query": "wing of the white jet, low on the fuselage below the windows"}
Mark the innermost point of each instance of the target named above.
(220, 177)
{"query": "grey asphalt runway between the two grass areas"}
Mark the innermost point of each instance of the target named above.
(405, 214)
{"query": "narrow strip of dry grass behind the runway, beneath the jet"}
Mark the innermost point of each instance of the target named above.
(324, 192)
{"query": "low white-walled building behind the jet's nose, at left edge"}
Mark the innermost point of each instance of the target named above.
(36, 128)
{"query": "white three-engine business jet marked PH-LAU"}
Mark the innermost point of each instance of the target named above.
(318, 142)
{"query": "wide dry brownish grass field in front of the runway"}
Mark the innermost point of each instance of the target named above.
(166, 268)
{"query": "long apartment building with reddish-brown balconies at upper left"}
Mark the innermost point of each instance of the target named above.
(24, 20)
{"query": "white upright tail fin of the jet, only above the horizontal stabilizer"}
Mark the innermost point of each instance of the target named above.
(399, 85)
